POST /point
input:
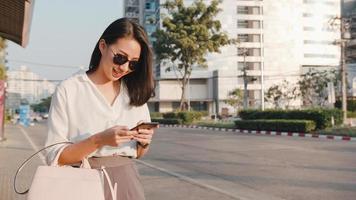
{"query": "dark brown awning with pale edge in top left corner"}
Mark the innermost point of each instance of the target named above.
(15, 20)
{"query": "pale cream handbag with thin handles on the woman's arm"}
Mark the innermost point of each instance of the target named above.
(69, 183)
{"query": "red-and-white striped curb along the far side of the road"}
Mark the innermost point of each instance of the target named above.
(274, 133)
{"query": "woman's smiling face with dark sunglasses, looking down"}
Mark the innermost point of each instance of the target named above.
(125, 49)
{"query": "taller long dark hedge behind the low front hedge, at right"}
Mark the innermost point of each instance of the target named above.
(321, 117)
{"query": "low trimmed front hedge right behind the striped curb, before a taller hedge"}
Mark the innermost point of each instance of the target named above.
(277, 125)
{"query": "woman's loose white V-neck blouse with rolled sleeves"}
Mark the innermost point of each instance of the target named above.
(79, 110)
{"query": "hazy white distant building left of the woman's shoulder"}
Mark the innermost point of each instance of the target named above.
(27, 85)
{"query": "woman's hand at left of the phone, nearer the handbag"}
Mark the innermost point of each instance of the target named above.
(115, 136)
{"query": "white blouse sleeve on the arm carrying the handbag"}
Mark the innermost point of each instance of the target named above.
(57, 126)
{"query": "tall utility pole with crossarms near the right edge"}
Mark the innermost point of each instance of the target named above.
(344, 26)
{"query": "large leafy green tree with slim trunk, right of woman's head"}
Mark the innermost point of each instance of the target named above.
(188, 34)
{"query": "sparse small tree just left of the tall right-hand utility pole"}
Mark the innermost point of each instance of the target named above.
(313, 86)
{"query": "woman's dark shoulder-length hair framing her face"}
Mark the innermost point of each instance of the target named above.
(139, 83)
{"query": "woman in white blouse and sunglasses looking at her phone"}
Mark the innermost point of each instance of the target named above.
(95, 110)
